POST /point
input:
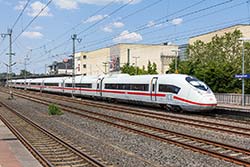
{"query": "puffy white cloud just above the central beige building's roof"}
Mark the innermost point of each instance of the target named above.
(127, 36)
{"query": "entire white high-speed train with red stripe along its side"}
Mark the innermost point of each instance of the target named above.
(174, 91)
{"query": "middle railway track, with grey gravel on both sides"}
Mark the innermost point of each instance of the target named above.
(219, 150)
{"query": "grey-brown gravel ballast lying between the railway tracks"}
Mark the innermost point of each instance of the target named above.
(122, 148)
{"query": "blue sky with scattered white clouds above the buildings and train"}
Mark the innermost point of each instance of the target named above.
(101, 23)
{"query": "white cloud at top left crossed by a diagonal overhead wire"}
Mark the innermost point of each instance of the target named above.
(36, 7)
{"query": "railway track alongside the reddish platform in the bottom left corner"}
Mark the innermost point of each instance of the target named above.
(49, 149)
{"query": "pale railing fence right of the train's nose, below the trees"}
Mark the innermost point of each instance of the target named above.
(228, 98)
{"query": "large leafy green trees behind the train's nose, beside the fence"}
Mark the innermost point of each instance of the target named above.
(217, 61)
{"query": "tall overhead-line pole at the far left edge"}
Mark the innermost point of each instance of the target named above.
(9, 73)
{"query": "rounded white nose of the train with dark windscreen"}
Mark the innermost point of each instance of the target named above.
(196, 95)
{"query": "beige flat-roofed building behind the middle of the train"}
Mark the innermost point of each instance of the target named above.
(111, 59)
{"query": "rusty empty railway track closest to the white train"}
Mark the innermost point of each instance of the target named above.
(219, 127)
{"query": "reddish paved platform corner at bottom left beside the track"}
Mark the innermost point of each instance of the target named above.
(12, 152)
